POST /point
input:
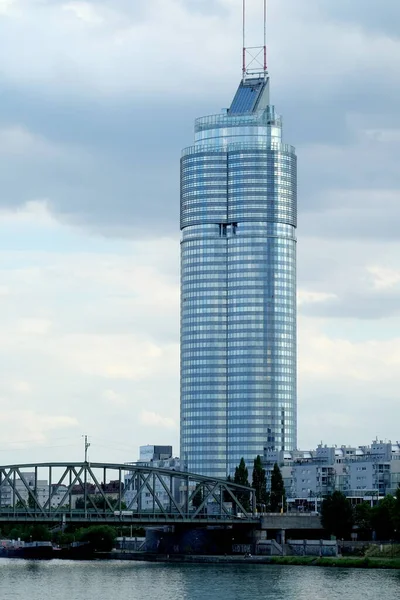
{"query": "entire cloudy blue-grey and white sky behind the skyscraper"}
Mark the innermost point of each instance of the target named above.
(97, 98)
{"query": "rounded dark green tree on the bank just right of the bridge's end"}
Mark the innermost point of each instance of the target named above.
(337, 515)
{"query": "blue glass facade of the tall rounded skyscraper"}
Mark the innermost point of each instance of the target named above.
(238, 287)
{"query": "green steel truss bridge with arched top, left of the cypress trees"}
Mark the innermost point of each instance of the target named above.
(118, 494)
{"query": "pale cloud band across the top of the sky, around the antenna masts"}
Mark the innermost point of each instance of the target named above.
(112, 39)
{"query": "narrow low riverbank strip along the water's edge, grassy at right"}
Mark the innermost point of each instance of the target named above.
(306, 561)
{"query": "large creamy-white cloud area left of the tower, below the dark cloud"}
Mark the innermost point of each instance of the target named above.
(89, 331)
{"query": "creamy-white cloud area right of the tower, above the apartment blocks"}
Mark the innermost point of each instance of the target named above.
(348, 388)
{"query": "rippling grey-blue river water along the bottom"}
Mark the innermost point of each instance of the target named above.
(114, 580)
